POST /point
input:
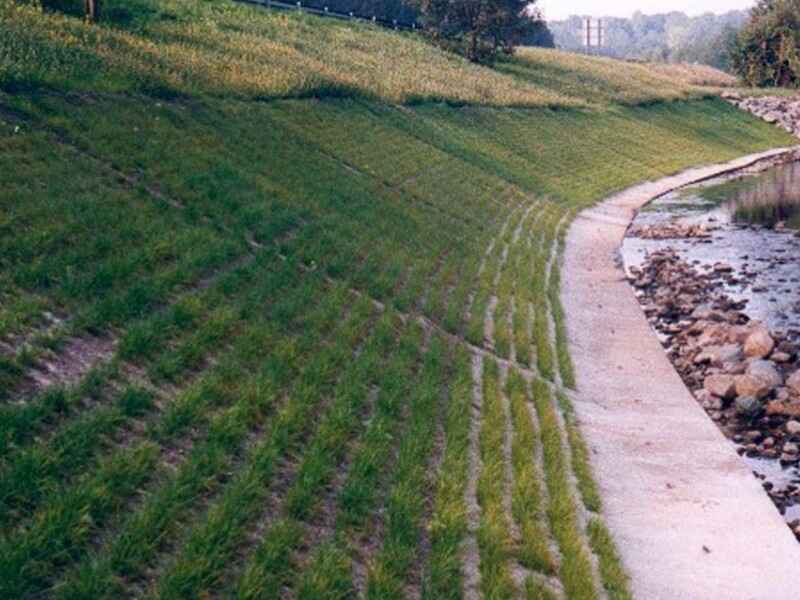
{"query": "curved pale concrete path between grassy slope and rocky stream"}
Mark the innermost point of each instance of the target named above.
(690, 519)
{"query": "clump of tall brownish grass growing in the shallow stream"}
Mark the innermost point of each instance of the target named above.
(768, 199)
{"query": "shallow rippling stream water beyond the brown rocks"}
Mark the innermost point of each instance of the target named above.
(765, 260)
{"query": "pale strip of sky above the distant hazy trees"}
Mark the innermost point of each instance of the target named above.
(560, 9)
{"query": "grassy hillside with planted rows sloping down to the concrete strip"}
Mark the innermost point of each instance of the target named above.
(280, 310)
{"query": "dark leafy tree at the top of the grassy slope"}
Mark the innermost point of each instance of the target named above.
(477, 28)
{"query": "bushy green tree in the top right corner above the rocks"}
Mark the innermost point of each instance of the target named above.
(767, 51)
